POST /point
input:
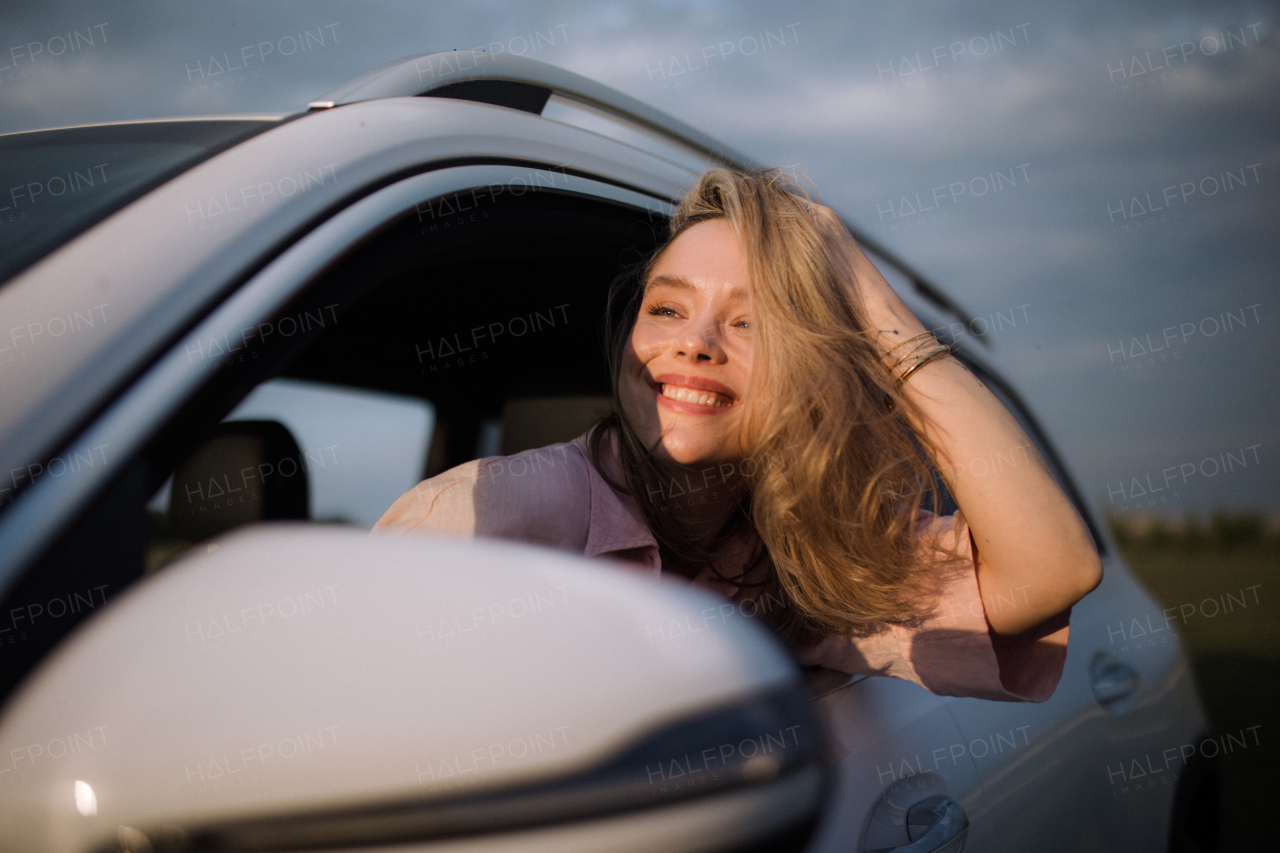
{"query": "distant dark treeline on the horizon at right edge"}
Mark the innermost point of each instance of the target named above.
(1220, 531)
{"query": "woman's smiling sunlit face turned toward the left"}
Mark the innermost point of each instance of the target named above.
(689, 358)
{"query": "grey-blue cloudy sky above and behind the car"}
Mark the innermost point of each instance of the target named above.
(1109, 166)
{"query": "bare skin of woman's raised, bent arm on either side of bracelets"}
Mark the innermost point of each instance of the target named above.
(1030, 544)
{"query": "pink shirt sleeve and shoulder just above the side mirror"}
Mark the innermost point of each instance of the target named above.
(540, 496)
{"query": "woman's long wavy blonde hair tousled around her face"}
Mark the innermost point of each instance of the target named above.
(838, 478)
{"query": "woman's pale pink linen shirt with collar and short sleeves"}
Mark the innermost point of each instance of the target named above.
(555, 496)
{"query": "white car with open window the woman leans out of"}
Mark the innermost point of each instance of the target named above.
(221, 332)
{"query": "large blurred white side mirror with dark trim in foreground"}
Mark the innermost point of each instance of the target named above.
(296, 687)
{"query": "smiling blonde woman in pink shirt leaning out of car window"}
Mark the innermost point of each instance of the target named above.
(780, 417)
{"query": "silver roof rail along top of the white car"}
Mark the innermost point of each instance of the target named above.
(527, 85)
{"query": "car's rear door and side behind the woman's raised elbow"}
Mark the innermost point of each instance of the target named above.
(1057, 776)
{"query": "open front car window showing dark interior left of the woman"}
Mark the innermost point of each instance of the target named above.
(449, 339)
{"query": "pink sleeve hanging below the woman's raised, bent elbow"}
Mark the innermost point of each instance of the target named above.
(952, 650)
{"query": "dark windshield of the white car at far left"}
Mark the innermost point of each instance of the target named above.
(57, 184)
